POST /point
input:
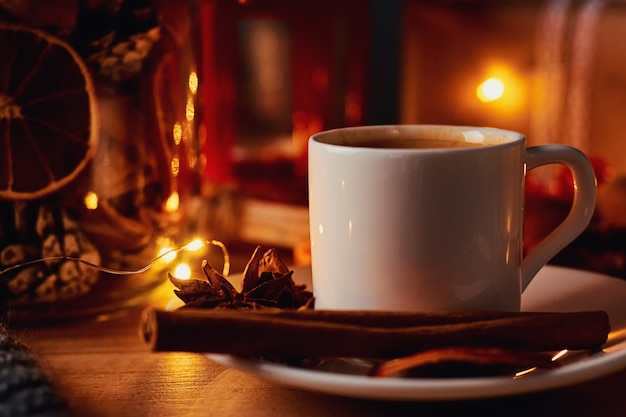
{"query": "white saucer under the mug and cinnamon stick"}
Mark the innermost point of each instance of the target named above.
(553, 289)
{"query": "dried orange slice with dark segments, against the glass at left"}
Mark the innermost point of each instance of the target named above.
(48, 113)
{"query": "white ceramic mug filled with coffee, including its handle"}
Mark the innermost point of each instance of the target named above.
(398, 226)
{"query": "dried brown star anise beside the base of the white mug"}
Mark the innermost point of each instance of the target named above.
(267, 282)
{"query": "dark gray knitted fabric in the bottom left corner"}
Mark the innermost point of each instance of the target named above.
(25, 390)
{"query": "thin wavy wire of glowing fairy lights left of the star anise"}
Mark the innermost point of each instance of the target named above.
(193, 245)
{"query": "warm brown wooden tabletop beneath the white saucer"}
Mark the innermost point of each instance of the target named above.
(103, 368)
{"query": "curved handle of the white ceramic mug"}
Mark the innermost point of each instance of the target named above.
(582, 206)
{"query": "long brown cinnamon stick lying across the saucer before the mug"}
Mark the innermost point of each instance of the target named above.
(322, 334)
